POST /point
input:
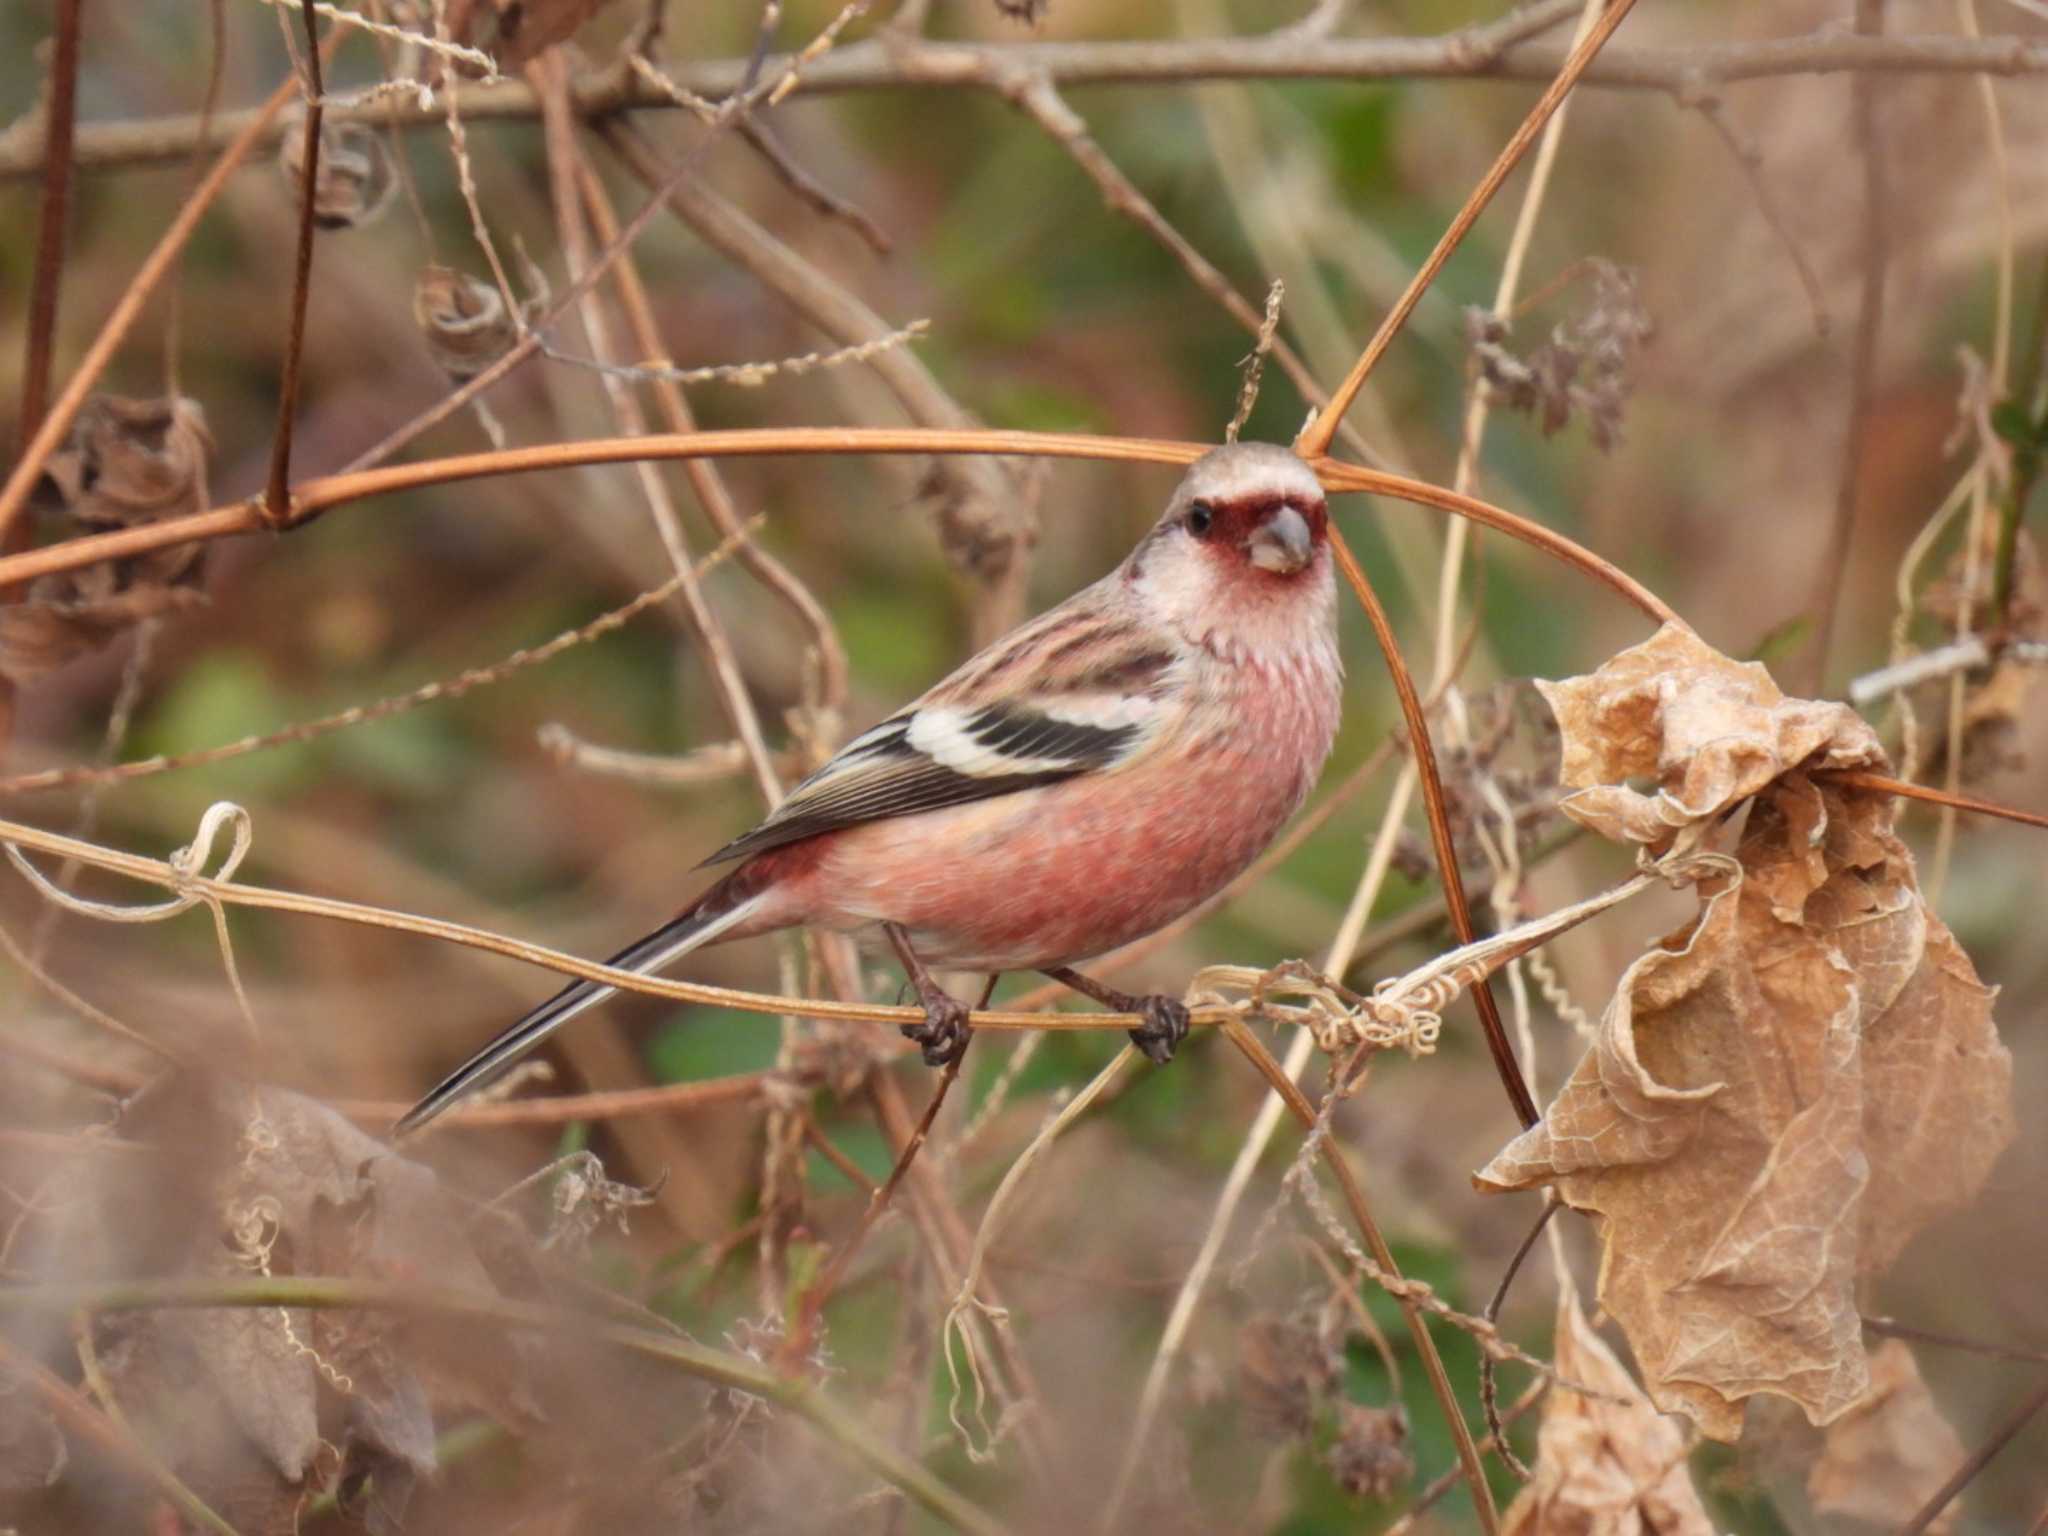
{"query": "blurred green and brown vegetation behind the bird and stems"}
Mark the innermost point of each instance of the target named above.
(1048, 312)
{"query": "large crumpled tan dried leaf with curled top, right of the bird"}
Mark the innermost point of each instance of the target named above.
(1789, 1089)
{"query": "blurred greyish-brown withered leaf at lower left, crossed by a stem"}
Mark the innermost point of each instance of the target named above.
(251, 1400)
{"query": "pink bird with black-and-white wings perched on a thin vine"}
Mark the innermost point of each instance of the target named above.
(1078, 785)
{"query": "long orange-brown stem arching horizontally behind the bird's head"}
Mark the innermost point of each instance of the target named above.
(329, 493)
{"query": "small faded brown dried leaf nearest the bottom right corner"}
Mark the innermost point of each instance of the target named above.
(1891, 1451)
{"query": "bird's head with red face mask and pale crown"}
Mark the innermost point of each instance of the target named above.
(1244, 542)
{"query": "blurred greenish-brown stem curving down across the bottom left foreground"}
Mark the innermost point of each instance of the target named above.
(802, 1398)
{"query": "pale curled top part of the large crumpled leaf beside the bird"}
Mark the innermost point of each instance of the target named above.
(1707, 730)
